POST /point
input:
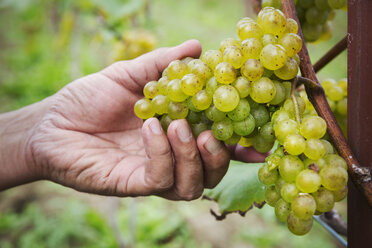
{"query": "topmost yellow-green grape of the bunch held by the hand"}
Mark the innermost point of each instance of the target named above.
(273, 22)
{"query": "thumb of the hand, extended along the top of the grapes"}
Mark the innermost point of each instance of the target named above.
(135, 73)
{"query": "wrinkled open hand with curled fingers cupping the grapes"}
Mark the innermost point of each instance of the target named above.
(90, 139)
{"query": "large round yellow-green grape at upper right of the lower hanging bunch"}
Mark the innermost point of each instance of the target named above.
(313, 127)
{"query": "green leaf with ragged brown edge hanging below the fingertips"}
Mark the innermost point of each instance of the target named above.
(239, 189)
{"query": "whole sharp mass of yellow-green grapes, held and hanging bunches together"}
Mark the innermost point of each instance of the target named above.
(242, 92)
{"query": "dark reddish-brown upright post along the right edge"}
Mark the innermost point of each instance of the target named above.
(359, 115)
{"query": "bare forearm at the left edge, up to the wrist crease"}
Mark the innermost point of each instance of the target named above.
(16, 127)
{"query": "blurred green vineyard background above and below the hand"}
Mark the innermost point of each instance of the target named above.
(47, 44)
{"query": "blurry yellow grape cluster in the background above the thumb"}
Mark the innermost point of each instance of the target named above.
(134, 43)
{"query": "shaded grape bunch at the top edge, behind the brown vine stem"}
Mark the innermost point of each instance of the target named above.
(315, 16)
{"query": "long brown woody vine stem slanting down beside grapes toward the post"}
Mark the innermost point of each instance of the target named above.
(360, 176)
